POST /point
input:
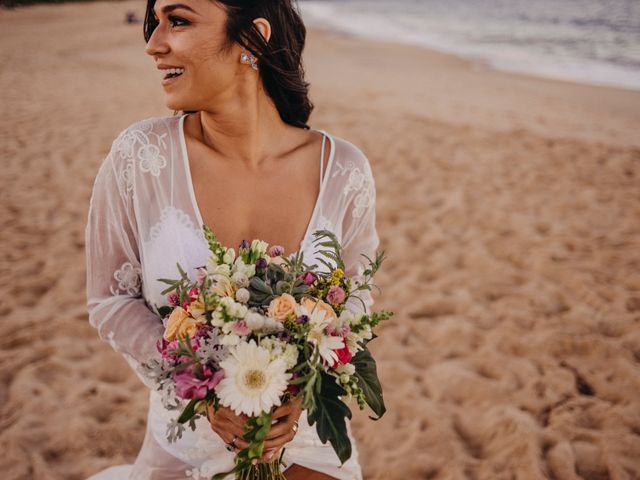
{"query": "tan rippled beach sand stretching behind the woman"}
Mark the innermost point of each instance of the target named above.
(508, 206)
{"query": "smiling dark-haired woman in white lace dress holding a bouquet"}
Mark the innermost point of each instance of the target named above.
(242, 160)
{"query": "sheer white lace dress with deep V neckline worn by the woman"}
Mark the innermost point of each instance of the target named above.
(143, 219)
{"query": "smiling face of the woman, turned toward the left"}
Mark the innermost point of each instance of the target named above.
(191, 35)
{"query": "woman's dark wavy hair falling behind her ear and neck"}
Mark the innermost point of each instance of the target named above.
(279, 60)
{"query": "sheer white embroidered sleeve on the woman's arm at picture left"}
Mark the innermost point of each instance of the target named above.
(114, 280)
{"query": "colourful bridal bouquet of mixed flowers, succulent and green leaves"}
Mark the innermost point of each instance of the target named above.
(256, 329)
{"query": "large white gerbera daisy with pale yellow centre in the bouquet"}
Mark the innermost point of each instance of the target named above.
(253, 382)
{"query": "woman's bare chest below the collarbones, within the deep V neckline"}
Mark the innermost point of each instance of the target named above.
(275, 204)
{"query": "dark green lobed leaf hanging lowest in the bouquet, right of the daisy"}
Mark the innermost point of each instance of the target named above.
(330, 414)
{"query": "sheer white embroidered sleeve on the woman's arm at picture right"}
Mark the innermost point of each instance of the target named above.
(360, 234)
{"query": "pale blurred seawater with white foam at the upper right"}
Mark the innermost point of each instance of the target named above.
(588, 41)
